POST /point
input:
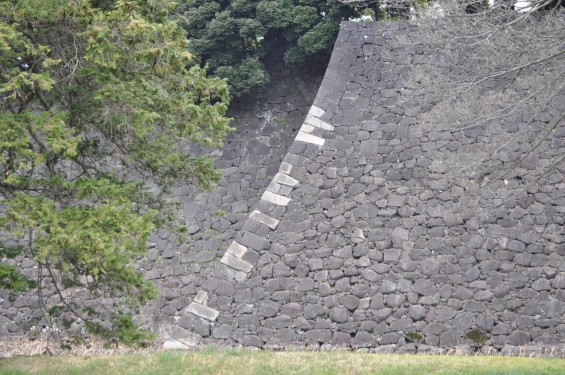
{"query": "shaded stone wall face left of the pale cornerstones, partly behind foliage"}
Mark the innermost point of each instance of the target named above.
(265, 125)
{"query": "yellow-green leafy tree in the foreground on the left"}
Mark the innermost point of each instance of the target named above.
(97, 108)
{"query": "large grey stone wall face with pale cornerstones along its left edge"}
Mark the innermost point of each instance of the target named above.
(363, 239)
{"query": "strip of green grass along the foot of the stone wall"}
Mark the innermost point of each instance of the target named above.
(244, 362)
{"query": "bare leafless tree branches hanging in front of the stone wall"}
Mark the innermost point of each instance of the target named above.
(499, 74)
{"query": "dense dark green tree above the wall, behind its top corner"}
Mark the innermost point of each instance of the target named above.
(232, 37)
